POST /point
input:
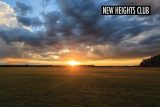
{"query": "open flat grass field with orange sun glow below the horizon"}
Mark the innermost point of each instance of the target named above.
(80, 87)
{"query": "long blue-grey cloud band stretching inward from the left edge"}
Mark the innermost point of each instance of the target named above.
(37, 39)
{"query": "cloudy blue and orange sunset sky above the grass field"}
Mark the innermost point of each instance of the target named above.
(56, 31)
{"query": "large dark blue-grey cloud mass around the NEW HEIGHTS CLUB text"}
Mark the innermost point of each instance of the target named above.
(92, 29)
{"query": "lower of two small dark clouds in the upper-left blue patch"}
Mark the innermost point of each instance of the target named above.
(28, 21)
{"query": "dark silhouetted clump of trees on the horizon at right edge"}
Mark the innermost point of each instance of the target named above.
(151, 62)
